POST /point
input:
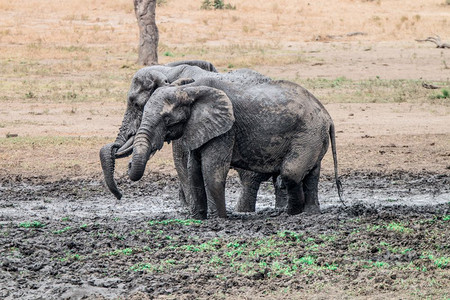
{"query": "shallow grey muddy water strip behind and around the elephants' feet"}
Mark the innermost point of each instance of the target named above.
(155, 198)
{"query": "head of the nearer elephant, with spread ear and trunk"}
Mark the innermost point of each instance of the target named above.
(193, 114)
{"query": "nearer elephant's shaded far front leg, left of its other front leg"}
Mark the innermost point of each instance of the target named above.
(198, 199)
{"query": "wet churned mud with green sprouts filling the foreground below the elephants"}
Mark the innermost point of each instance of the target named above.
(72, 240)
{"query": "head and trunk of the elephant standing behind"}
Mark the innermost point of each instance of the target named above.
(143, 84)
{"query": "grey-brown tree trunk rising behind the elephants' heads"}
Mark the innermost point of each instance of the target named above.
(148, 32)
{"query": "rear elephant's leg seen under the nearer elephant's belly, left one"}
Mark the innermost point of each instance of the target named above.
(250, 182)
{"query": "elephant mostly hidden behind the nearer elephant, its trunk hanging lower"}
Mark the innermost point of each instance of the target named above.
(144, 83)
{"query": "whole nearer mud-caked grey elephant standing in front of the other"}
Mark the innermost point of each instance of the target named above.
(267, 127)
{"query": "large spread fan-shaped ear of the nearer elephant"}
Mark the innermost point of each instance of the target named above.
(211, 115)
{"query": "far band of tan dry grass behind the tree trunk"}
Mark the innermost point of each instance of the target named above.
(94, 35)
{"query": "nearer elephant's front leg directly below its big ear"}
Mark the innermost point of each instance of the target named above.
(216, 159)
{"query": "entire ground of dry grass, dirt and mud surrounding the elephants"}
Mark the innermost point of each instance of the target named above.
(64, 72)
